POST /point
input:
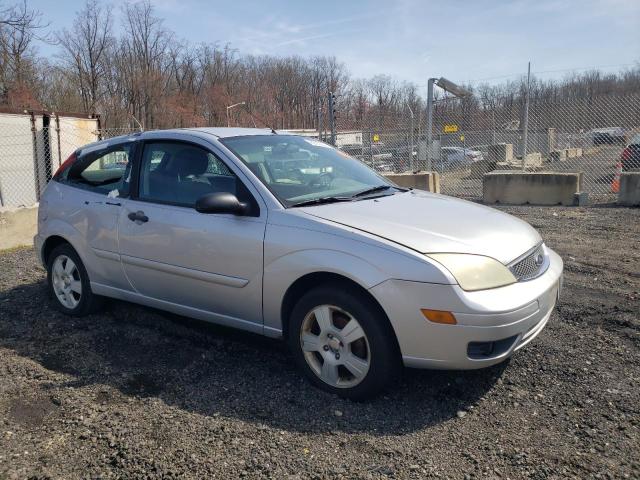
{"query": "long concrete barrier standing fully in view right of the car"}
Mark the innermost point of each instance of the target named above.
(540, 188)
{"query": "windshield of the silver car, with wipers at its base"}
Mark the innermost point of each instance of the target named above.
(299, 170)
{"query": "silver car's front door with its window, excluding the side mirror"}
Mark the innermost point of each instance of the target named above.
(171, 253)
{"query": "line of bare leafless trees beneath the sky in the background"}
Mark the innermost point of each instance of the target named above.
(145, 76)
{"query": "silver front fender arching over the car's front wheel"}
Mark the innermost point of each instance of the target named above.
(296, 245)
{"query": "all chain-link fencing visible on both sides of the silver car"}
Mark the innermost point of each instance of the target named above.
(585, 135)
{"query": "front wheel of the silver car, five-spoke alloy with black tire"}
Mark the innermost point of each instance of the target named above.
(355, 361)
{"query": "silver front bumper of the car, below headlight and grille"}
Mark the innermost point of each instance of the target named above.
(492, 324)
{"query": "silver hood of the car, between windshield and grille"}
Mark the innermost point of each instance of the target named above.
(430, 223)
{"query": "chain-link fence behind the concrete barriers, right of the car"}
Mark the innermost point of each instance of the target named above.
(585, 135)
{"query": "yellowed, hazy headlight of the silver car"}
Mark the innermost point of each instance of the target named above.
(475, 272)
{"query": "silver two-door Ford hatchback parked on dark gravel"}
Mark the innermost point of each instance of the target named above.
(290, 238)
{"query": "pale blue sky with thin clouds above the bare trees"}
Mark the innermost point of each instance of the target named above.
(410, 39)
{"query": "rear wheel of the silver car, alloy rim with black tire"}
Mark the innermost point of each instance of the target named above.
(68, 283)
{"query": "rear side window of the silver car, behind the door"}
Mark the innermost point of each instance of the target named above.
(104, 171)
